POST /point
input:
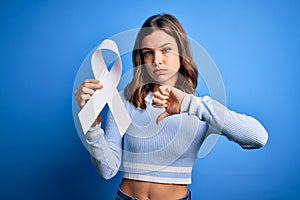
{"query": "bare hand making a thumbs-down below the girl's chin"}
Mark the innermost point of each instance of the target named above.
(169, 98)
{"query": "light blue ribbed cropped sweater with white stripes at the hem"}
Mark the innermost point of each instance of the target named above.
(165, 152)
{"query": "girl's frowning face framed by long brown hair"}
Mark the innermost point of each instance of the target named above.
(161, 57)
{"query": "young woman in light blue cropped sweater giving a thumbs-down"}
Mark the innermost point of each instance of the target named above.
(169, 123)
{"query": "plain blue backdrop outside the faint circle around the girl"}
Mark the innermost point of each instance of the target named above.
(255, 45)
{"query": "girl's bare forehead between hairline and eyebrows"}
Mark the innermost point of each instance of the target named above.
(156, 39)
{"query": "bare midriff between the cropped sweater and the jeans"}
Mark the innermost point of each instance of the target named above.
(143, 190)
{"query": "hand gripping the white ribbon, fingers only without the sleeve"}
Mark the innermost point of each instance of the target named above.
(85, 91)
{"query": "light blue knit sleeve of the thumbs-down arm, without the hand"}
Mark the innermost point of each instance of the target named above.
(240, 128)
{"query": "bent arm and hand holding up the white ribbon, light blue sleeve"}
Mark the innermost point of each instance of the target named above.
(105, 148)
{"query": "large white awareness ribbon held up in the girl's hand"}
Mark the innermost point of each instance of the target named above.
(108, 94)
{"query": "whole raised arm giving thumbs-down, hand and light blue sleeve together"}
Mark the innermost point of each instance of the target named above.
(243, 129)
